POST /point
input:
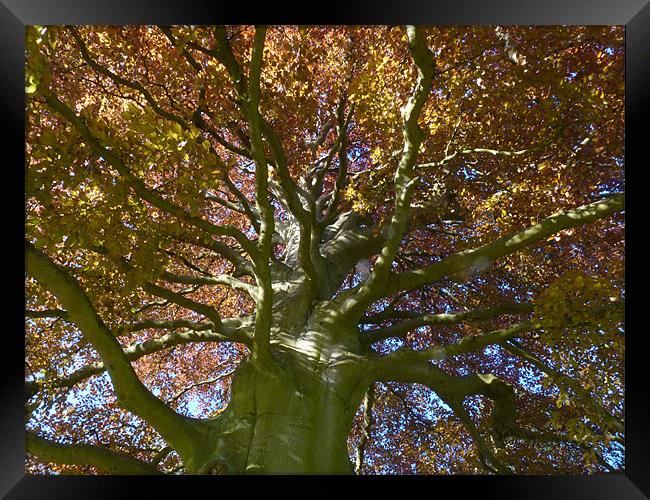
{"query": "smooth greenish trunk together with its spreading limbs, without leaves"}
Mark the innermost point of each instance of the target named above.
(293, 401)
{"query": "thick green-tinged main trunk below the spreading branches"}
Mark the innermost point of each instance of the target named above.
(294, 415)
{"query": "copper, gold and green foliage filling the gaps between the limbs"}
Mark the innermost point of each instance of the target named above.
(512, 134)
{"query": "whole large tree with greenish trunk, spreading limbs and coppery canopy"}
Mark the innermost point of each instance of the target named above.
(324, 249)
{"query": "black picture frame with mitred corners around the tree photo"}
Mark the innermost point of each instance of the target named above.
(634, 14)
